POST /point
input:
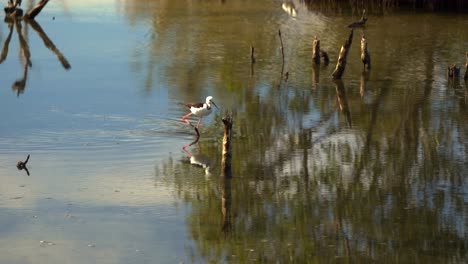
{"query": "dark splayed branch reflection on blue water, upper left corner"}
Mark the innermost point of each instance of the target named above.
(19, 85)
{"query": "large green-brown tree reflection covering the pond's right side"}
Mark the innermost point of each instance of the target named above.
(369, 169)
